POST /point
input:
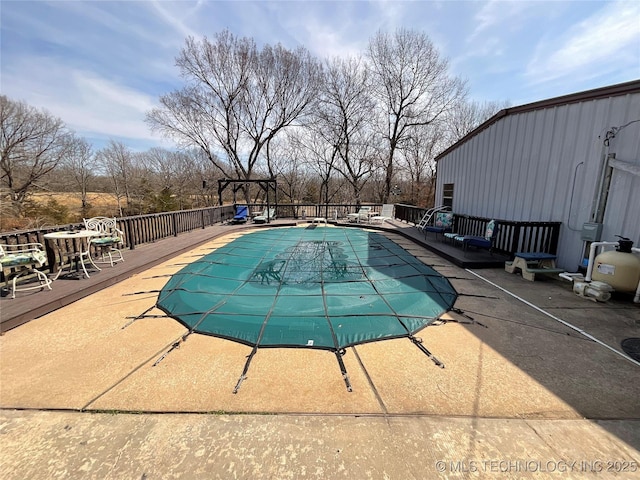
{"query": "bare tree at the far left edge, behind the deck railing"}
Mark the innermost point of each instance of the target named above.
(32, 144)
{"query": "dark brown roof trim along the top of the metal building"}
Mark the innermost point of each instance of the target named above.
(594, 94)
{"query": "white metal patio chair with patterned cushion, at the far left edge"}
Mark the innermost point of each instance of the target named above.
(19, 260)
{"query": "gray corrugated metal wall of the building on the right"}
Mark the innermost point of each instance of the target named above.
(543, 165)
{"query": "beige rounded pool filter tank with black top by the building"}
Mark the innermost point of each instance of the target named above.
(620, 268)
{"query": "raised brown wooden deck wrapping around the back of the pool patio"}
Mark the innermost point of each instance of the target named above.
(30, 305)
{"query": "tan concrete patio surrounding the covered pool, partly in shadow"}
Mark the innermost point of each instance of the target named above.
(81, 399)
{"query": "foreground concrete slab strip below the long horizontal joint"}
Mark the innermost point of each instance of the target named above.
(46, 445)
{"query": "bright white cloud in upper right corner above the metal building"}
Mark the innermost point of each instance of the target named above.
(605, 41)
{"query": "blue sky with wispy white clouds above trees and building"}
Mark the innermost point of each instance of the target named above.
(101, 65)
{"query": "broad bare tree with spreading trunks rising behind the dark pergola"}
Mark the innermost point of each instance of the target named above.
(237, 98)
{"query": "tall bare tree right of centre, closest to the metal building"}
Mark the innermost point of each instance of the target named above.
(412, 85)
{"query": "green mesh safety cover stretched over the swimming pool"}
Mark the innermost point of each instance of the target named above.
(325, 287)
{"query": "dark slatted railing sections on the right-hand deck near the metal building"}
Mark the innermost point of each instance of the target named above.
(513, 236)
